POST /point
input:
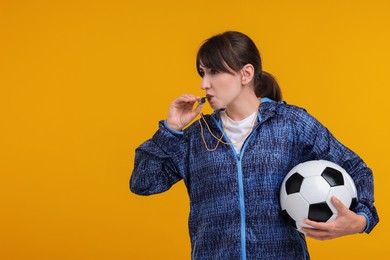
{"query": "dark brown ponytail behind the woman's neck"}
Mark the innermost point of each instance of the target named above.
(268, 87)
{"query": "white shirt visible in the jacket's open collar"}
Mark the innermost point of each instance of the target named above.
(236, 130)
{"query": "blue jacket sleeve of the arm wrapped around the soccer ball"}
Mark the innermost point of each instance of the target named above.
(317, 143)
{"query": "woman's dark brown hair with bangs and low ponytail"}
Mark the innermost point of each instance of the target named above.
(232, 50)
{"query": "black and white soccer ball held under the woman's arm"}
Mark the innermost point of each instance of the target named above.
(307, 189)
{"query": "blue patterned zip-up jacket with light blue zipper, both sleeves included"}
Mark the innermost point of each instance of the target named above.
(234, 198)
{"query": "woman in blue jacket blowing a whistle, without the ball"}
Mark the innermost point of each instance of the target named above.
(234, 160)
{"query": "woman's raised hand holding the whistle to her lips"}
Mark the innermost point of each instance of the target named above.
(181, 111)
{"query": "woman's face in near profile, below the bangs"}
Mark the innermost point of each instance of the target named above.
(222, 88)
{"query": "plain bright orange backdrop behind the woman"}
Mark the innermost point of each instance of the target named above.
(83, 83)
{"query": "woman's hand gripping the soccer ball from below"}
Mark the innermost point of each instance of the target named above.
(346, 223)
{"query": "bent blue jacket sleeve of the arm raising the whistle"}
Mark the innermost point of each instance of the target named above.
(155, 170)
